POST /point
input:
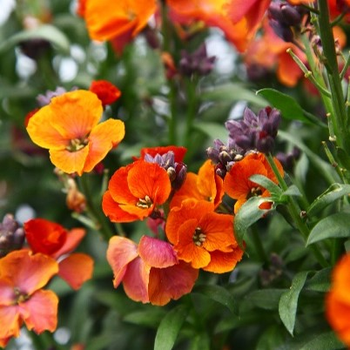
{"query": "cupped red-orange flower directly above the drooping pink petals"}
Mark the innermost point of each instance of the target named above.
(135, 191)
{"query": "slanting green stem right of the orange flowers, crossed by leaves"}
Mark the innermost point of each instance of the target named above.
(294, 212)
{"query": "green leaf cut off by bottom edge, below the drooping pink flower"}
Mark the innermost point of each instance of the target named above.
(169, 328)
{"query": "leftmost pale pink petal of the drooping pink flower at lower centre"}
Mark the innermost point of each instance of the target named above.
(121, 251)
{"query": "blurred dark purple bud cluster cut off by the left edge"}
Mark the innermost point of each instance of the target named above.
(11, 235)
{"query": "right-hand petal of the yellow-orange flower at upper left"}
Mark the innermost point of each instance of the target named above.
(102, 139)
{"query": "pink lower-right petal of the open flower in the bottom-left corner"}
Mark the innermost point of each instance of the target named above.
(40, 311)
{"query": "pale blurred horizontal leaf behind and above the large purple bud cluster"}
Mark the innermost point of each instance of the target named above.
(232, 92)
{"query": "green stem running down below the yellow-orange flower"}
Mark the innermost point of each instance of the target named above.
(94, 212)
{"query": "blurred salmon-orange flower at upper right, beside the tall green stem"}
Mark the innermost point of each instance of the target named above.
(269, 51)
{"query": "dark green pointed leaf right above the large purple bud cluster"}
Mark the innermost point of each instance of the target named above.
(289, 108)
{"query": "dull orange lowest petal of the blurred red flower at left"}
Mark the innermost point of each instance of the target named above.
(76, 269)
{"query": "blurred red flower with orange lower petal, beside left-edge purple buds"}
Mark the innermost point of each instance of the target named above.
(52, 239)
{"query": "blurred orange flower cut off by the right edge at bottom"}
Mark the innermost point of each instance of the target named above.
(338, 300)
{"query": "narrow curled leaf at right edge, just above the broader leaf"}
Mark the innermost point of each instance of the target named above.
(334, 192)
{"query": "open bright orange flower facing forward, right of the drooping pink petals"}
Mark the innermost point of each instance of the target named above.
(203, 238)
